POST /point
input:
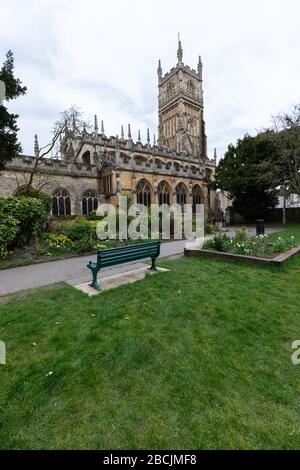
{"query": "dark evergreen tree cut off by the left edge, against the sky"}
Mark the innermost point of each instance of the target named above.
(9, 145)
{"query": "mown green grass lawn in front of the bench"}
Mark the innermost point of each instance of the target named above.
(198, 357)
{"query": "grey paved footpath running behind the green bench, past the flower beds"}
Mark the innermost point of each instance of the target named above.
(72, 270)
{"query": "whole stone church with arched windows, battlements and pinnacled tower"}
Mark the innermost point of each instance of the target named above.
(94, 168)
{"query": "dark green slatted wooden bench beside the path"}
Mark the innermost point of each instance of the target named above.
(125, 254)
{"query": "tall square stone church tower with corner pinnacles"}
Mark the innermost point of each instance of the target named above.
(180, 108)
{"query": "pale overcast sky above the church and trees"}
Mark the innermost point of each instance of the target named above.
(102, 57)
